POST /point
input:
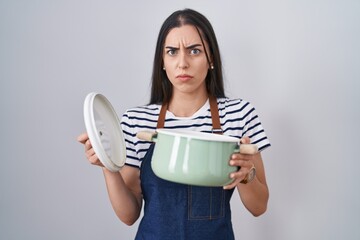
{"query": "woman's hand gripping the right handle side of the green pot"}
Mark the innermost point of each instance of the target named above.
(244, 162)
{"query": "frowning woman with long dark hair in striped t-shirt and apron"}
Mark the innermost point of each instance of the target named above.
(186, 84)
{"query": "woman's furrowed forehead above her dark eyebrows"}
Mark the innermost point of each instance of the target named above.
(186, 34)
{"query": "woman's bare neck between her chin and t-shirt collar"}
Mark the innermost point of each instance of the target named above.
(186, 106)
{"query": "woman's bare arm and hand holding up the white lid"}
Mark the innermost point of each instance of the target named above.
(123, 187)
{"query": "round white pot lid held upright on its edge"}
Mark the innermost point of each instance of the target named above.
(104, 131)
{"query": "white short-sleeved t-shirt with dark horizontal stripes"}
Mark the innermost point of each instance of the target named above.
(237, 117)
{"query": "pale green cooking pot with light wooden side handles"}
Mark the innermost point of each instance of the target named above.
(194, 158)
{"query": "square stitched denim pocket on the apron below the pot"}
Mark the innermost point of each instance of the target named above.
(205, 203)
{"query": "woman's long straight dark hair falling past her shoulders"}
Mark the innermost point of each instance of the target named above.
(161, 88)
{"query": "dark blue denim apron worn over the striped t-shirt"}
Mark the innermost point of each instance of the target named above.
(178, 211)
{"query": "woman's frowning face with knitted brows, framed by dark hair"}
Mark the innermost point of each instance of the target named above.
(185, 60)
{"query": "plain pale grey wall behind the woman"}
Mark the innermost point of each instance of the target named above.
(296, 61)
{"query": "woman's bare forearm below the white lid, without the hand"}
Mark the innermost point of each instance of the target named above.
(125, 202)
